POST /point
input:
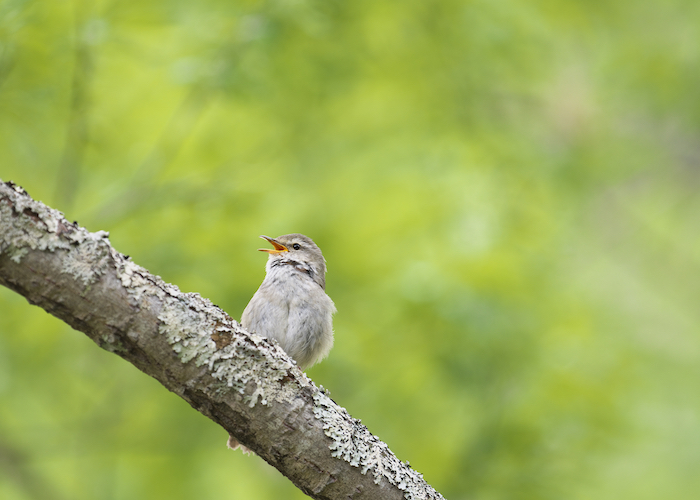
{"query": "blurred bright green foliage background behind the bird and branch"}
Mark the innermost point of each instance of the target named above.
(506, 193)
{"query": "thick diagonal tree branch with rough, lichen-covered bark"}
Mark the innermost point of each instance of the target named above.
(240, 380)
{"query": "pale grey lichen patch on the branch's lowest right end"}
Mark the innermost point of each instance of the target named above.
(353, 443)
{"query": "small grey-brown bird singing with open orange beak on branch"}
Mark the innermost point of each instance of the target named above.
(291, 305)
